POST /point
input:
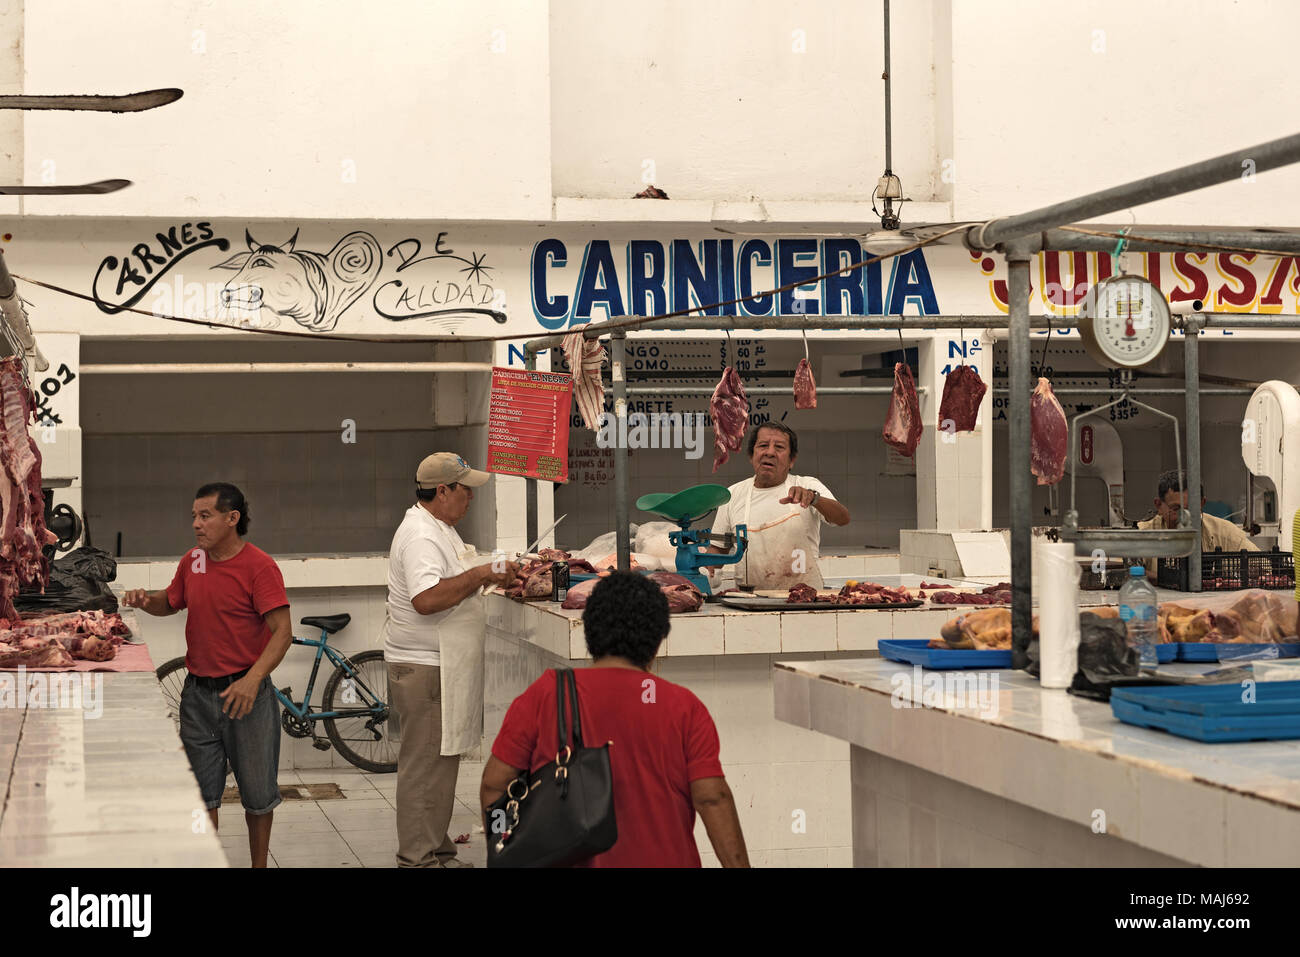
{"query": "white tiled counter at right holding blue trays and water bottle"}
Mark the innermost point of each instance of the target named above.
(1032, 777)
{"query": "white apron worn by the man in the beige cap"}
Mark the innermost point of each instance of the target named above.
(461, 652)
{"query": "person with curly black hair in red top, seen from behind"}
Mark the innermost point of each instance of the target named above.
(665, 747)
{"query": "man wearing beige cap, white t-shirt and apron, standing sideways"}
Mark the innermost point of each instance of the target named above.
(434, 644)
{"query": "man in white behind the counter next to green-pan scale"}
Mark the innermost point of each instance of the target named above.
(783, 512)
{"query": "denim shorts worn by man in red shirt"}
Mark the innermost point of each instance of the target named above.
(250, 746)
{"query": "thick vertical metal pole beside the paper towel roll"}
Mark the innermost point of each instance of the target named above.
(1022, 583)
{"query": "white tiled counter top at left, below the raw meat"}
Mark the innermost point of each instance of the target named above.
(101, 781)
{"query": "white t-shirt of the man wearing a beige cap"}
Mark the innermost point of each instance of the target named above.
(424, 552)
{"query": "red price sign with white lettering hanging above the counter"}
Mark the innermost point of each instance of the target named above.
(528, 423)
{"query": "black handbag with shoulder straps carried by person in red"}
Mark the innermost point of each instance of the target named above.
(564, 813)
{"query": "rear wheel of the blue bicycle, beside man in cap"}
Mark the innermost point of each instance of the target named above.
(354, 737)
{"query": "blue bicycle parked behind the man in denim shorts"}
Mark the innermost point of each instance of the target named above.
(354, 705)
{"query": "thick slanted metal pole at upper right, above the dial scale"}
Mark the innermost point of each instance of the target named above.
(1258, 159)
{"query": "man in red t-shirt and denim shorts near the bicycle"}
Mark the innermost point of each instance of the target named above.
(236, 634)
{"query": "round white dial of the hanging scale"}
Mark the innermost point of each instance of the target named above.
(1125, 322)
